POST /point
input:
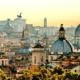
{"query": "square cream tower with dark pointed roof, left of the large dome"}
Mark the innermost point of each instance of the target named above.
(38, 55)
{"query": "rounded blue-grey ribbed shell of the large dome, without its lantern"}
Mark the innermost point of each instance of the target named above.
(61, 46)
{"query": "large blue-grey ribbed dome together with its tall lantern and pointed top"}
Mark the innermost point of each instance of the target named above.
(62, 45)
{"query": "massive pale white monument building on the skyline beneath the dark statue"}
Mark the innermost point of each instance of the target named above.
(18, 24)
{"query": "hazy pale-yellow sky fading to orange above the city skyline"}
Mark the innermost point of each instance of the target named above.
(56, 11)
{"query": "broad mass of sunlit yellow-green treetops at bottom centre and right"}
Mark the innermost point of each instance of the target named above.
(42, 73)
